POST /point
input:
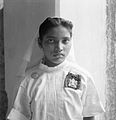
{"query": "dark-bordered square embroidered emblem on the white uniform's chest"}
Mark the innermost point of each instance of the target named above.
(72, 81)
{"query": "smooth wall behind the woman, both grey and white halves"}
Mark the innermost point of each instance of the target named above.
(22, 18)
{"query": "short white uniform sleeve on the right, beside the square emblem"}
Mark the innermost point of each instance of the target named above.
(91, 101)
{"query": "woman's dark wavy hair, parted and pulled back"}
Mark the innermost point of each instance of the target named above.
(54, 22)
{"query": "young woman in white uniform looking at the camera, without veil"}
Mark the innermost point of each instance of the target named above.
(56, 89)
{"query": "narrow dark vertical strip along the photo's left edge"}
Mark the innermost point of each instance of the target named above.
(3, 95)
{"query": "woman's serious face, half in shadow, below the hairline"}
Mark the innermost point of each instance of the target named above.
(56, 45)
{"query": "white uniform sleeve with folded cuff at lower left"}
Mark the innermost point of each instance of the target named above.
(21, 108)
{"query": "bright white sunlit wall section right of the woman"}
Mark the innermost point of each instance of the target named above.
(88, 17)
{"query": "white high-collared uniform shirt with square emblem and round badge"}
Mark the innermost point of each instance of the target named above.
(64, 92)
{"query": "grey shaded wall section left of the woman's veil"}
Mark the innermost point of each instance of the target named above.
(21, 18)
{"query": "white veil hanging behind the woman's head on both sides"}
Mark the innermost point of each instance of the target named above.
(34, 54)
